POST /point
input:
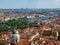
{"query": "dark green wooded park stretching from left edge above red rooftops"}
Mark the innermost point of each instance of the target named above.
(20, 23)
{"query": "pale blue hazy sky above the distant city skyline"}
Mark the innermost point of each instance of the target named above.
(29, 4)
